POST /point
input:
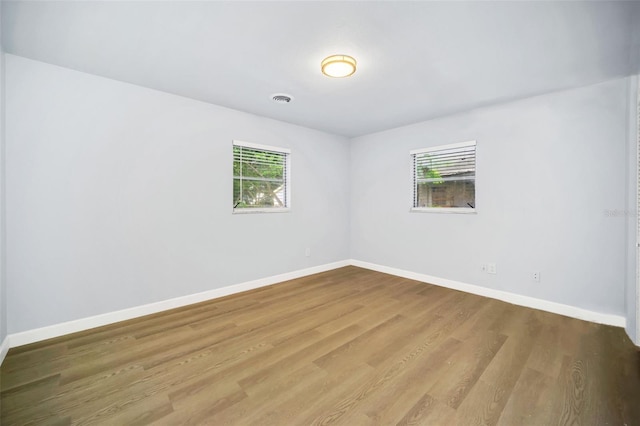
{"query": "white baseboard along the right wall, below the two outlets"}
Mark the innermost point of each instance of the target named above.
(516, 299)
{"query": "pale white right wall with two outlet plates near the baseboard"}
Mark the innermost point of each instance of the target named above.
(548, 169)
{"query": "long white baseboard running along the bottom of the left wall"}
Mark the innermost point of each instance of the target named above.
(56, 330)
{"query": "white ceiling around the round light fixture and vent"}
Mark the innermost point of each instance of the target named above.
(416, 60)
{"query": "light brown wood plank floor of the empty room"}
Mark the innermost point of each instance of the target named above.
(349, 347)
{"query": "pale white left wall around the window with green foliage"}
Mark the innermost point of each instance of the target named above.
(118, 196)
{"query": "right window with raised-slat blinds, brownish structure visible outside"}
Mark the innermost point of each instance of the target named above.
(444, 178)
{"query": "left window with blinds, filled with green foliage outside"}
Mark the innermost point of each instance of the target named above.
(260, 178)
